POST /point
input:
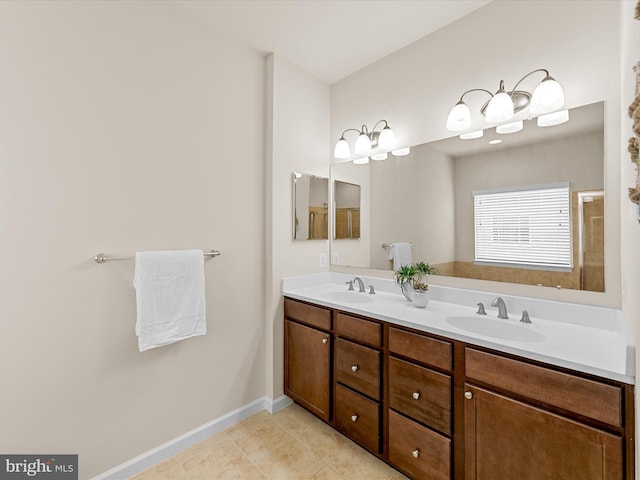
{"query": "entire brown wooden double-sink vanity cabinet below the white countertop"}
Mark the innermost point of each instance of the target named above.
(440, 409)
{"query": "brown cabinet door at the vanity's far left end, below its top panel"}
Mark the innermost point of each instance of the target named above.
(307, 367)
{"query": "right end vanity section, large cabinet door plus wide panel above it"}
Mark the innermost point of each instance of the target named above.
(528, 421)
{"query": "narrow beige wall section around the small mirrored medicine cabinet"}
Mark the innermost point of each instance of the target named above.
(297, 135)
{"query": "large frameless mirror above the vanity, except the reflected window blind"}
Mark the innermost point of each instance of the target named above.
(427, 199)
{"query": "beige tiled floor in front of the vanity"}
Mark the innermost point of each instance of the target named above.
(290, 444)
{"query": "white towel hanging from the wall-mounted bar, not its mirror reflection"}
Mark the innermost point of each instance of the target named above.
(170, 297)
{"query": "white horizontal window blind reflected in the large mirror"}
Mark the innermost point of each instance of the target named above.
(530, 226)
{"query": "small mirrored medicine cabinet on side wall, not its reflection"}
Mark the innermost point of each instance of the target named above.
(310, 207)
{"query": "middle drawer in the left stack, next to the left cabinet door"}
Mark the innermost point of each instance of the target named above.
(358, 367)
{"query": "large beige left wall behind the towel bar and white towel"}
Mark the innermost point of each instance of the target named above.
(123, 128)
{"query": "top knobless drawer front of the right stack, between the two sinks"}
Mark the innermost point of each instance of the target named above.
(421, 348)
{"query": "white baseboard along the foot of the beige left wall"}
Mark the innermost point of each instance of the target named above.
(170, 448)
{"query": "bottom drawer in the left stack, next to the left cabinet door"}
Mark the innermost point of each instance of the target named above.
(358, 418)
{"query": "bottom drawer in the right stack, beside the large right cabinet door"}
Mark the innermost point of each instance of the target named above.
(418, 451)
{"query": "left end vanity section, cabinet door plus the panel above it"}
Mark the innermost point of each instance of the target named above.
(307, 352)
